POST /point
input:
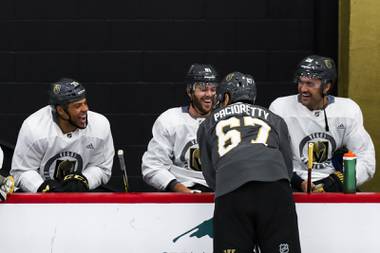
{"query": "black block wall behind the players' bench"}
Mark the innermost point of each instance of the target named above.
(132, 56)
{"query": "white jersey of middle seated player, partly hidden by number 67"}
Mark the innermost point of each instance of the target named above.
(173, 152)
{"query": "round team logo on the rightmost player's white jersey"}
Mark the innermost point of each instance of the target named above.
(324, 144)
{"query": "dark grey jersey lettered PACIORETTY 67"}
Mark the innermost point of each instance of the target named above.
(241, 143)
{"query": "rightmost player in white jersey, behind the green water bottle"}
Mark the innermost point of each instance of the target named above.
(331, 123)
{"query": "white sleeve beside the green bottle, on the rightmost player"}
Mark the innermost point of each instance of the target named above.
(359, 141)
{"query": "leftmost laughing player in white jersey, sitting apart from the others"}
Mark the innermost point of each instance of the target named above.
(63, 147)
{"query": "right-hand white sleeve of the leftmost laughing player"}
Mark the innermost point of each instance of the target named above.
(99, 168)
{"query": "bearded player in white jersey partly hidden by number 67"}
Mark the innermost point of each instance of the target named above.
(172, 162)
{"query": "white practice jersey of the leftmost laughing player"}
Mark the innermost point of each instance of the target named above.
(42, 146)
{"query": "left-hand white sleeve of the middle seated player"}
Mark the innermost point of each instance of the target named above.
(157, 160)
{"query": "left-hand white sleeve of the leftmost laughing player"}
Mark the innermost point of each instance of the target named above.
(26, 161)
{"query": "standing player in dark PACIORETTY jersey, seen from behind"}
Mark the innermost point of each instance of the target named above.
(246, 159)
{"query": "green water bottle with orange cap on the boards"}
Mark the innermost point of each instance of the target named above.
(349, 164)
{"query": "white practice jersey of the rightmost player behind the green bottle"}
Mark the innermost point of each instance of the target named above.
(345, 121)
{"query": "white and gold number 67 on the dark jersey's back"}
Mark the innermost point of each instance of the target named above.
(231, 138)
